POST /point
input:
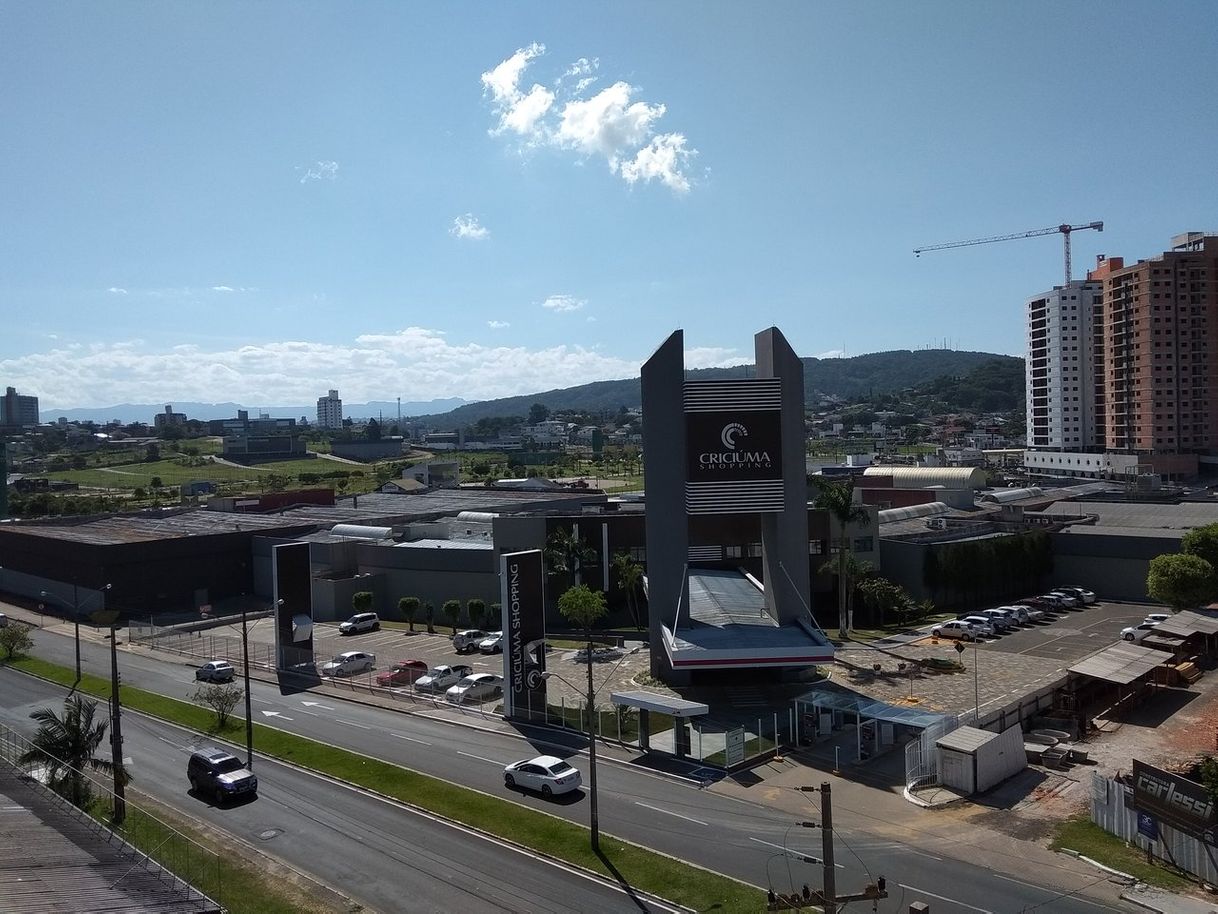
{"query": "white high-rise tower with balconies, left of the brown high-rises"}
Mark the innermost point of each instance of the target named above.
(1061, 369)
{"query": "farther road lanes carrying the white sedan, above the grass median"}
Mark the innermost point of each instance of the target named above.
(740, 839)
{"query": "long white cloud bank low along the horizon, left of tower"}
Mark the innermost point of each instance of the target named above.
(371, 367)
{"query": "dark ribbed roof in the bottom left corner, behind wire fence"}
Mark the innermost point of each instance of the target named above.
(55, 860)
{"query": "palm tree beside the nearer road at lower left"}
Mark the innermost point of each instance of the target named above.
(68, 745)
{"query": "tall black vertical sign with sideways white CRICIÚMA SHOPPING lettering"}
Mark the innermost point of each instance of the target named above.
(522, 594)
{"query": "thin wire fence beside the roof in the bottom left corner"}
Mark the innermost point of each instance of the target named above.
(180, 866)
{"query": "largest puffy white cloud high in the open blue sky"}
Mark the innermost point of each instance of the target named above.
(612, 124)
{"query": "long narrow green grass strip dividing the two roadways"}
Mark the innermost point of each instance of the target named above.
(619, 861)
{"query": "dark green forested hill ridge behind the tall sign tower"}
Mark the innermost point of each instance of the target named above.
(874, 374)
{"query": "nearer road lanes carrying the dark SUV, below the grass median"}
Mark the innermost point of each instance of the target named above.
(379, 854)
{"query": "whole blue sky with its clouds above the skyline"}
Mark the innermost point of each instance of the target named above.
(262, 202)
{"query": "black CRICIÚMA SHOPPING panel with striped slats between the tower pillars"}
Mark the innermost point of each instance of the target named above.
(734, 447)
